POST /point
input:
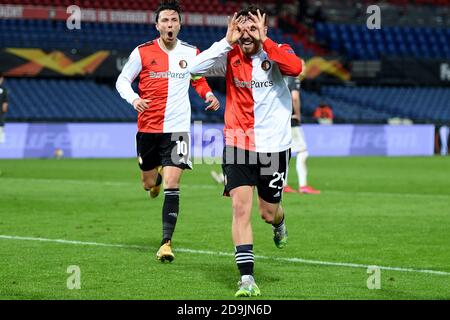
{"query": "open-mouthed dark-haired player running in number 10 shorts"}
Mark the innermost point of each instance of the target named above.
(164, 113)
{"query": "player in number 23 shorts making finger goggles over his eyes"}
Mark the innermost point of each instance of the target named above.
(257, 128)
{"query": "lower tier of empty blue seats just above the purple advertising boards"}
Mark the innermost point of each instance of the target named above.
(83, 100)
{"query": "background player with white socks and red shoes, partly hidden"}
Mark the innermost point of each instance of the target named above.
(298, 140)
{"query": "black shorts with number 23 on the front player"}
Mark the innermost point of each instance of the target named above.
(266, 171)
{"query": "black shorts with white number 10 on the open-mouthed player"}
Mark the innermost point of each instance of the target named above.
(166, 149)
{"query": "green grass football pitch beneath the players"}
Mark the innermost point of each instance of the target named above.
(393, 213)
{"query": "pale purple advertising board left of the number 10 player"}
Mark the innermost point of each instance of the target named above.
(76, 140)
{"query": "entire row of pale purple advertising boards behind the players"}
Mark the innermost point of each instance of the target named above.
(117, 140)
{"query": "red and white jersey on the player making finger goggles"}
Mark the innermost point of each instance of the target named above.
(259, 106)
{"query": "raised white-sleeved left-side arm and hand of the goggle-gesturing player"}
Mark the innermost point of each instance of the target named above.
(213, 61)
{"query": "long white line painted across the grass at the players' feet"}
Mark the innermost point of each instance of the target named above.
(294, 260)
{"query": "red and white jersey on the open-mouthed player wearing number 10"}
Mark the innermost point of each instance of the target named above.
(164, 79)
